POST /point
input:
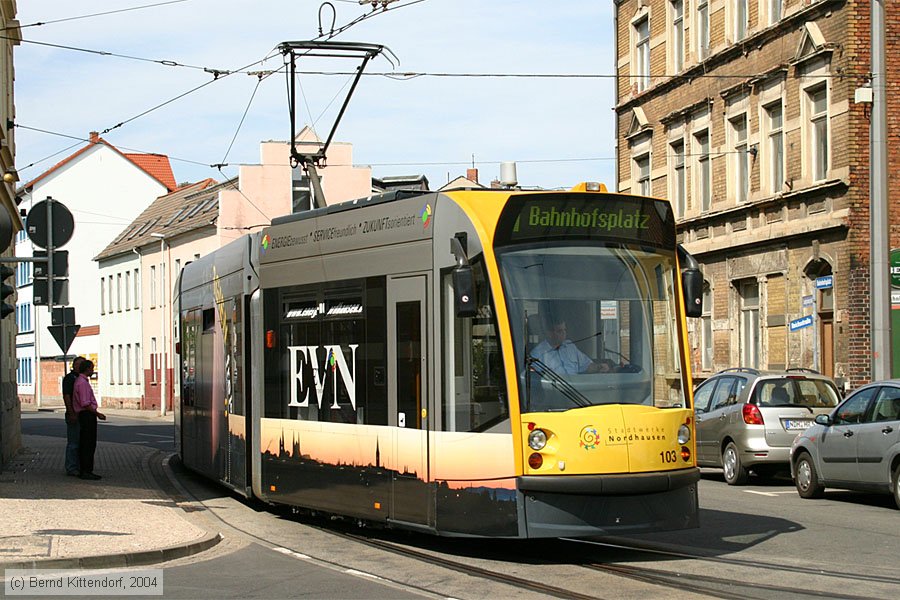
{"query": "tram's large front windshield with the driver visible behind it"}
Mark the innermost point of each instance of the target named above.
(593, 324)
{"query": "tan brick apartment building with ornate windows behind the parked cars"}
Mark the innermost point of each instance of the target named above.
(743, 114)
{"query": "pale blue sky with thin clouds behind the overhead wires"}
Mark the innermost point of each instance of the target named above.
(559, 131)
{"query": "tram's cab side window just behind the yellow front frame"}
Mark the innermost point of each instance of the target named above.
(475, 383)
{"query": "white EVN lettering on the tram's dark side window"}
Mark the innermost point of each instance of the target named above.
(332, 361)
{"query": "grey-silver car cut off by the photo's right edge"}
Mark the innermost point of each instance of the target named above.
(856, 447)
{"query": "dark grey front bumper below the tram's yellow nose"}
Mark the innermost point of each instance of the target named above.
(590, 505)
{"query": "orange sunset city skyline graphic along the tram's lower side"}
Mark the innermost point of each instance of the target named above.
(355, 479)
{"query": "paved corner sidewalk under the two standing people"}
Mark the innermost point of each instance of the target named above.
(49, 520)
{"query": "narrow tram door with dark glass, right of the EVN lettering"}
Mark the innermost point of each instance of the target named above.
(411, 497)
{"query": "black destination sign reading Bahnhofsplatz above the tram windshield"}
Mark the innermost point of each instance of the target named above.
(587, 217)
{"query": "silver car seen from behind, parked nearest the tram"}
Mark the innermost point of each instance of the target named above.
(747, 418)
